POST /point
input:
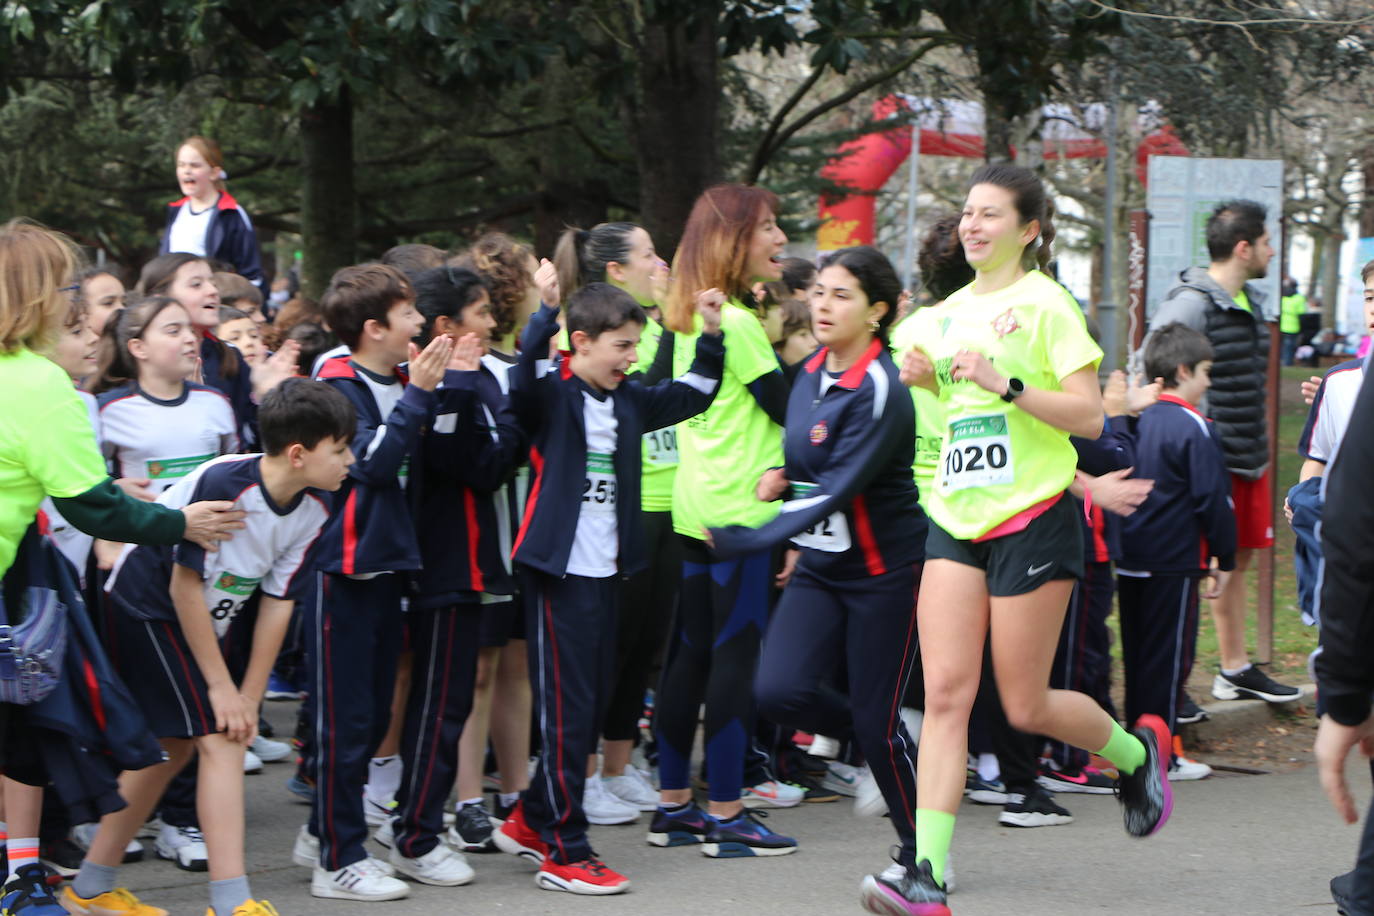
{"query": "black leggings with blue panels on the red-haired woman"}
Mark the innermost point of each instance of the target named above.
(722, 615)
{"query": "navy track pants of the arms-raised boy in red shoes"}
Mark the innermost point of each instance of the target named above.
(571, 632)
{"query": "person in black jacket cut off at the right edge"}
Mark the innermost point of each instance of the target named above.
(1344, 664)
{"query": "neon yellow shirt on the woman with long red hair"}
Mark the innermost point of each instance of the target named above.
(725, 451)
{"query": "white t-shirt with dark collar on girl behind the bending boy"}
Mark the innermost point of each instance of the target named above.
(164, 442)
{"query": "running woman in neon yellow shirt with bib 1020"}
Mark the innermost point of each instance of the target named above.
(1015, 370)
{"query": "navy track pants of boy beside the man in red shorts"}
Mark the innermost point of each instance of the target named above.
(1159, 641)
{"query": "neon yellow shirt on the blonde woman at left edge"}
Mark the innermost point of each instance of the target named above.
(47, 446)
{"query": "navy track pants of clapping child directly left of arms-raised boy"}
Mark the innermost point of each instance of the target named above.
(443, 643)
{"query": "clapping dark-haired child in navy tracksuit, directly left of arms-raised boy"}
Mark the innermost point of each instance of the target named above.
(461, 463)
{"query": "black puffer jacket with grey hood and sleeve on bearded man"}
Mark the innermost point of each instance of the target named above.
(1240, 369)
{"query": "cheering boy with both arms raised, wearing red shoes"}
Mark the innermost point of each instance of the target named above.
(582, 532)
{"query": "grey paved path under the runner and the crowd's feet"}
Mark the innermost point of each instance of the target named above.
(1237, 845)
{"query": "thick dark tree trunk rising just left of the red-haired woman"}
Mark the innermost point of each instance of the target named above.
(677, 126)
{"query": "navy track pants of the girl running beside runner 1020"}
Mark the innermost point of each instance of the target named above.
(870, 624)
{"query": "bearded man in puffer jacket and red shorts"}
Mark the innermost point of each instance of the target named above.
(1221, 303)
